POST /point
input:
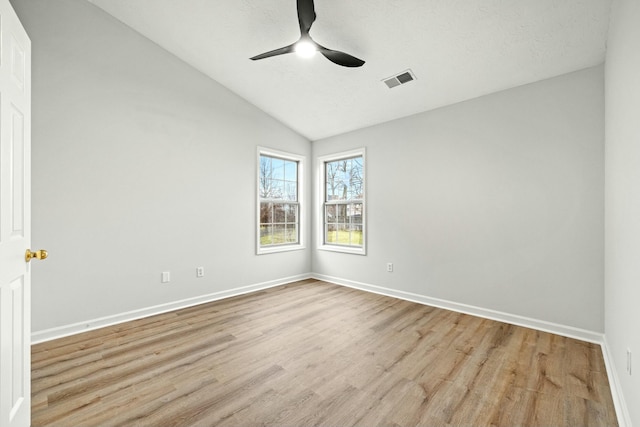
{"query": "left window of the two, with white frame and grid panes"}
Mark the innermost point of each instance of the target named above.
(279, 201)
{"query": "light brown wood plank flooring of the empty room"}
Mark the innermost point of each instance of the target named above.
(313, 353)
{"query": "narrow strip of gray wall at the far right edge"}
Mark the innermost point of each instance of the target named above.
(622, 202)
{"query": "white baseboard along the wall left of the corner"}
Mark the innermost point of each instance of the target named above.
(76, 328)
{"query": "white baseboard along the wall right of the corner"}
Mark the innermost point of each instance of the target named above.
(541, 325)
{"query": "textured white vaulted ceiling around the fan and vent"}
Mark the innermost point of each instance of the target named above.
(458, 50)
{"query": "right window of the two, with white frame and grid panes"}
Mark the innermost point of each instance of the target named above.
(343, 227)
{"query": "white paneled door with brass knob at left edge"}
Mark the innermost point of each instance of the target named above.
(15, 220)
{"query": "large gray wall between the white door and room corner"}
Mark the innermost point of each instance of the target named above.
(140, 165)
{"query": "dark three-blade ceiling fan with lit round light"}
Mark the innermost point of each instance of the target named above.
(306, 46)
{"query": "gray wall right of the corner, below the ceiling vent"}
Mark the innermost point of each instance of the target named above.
(496, 202)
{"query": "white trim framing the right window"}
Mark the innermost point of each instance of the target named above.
(321, 201)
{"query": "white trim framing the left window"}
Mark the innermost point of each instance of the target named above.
(301, 207)
